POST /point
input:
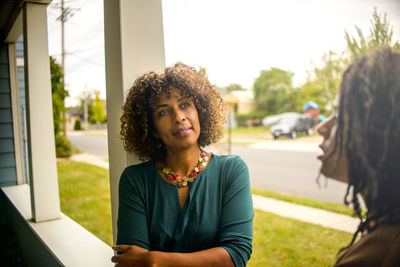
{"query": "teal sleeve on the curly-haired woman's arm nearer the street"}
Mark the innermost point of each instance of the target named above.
(236, 229)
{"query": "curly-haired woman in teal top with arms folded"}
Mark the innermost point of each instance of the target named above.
(183, 206)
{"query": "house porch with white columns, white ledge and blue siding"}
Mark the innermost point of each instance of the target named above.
(29, 198)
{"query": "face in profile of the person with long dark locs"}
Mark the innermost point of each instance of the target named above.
(334, 165)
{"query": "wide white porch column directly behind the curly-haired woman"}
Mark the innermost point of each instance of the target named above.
(134, 44)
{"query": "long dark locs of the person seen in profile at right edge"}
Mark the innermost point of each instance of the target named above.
(369, 129)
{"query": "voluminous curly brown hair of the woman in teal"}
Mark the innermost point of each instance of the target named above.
(137, 126)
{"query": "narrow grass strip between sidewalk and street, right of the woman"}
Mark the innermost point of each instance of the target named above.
(335, 207)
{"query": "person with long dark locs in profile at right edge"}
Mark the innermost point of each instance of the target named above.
(361, 147)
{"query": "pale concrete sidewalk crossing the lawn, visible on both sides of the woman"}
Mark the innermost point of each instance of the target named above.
(303, 213)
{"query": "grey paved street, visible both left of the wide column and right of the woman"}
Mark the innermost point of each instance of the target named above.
(284, 166)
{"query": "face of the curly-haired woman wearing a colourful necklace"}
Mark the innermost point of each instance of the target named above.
(176, 121)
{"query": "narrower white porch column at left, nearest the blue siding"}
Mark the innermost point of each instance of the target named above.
(43, 173)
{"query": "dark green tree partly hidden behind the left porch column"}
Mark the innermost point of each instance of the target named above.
(63, 147)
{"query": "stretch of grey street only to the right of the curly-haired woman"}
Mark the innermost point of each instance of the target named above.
(291, 172)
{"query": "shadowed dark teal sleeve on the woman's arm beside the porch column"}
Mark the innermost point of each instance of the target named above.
(132, 223)
